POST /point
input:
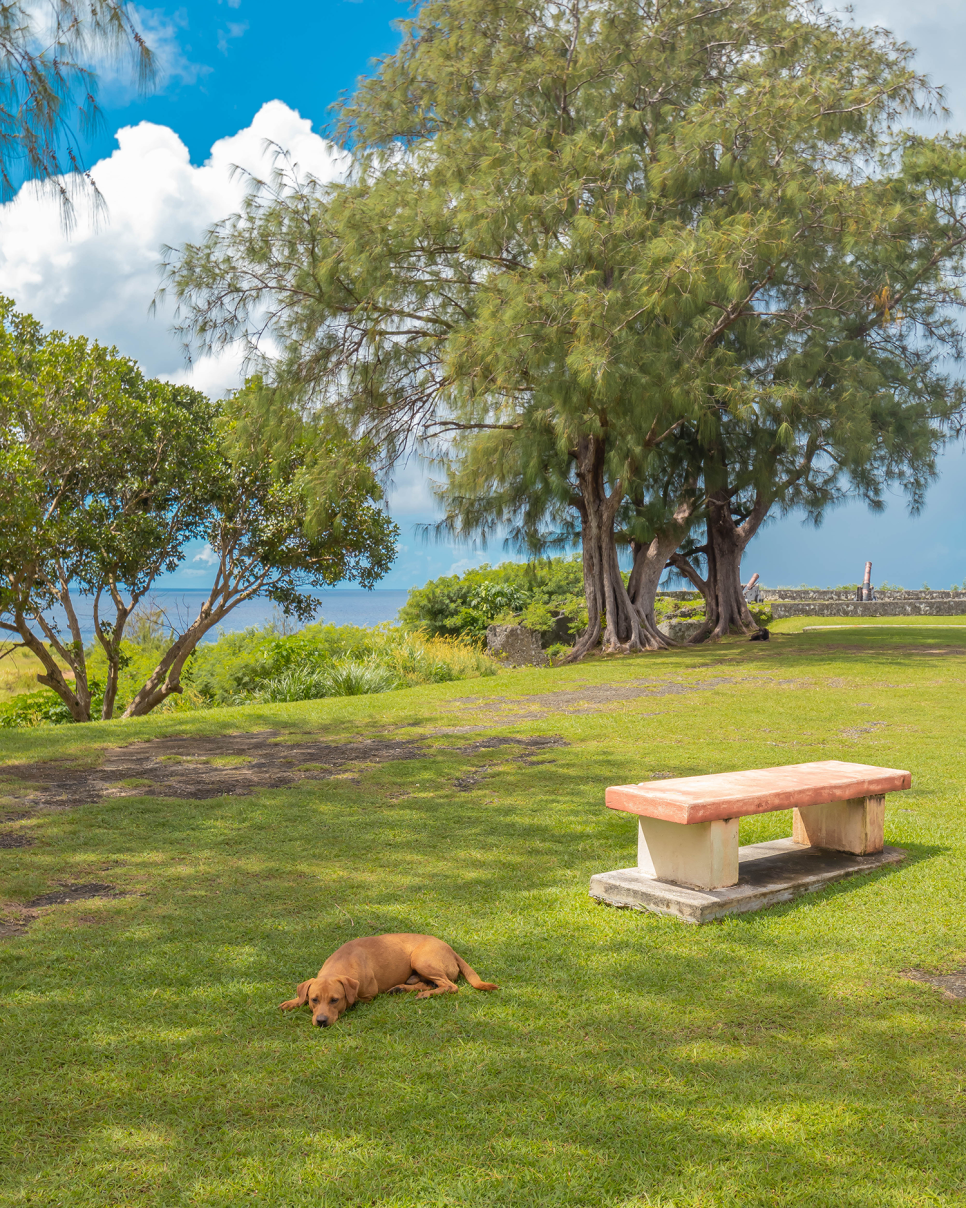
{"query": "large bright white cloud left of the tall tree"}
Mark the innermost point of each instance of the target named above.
(100, 282)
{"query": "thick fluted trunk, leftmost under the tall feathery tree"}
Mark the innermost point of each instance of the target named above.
(609, 606)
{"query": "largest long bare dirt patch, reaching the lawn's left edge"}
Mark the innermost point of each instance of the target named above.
(219, 766)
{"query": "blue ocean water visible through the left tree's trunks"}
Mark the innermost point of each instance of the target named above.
(340, 607)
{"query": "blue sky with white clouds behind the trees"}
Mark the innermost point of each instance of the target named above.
(237, 72)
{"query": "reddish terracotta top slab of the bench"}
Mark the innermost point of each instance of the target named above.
(703, 799)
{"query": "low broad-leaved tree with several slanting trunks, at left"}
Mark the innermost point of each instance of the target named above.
(106, 477)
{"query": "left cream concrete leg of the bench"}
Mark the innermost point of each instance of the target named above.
(703, 856)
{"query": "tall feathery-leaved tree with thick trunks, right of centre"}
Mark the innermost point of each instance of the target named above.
(626, 266)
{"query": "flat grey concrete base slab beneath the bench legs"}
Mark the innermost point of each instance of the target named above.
(767, 874)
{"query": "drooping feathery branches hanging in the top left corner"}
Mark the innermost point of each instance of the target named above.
(48, 94)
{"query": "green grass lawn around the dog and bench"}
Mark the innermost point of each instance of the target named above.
(627, 1060)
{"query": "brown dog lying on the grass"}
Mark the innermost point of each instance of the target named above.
(382, 965)
